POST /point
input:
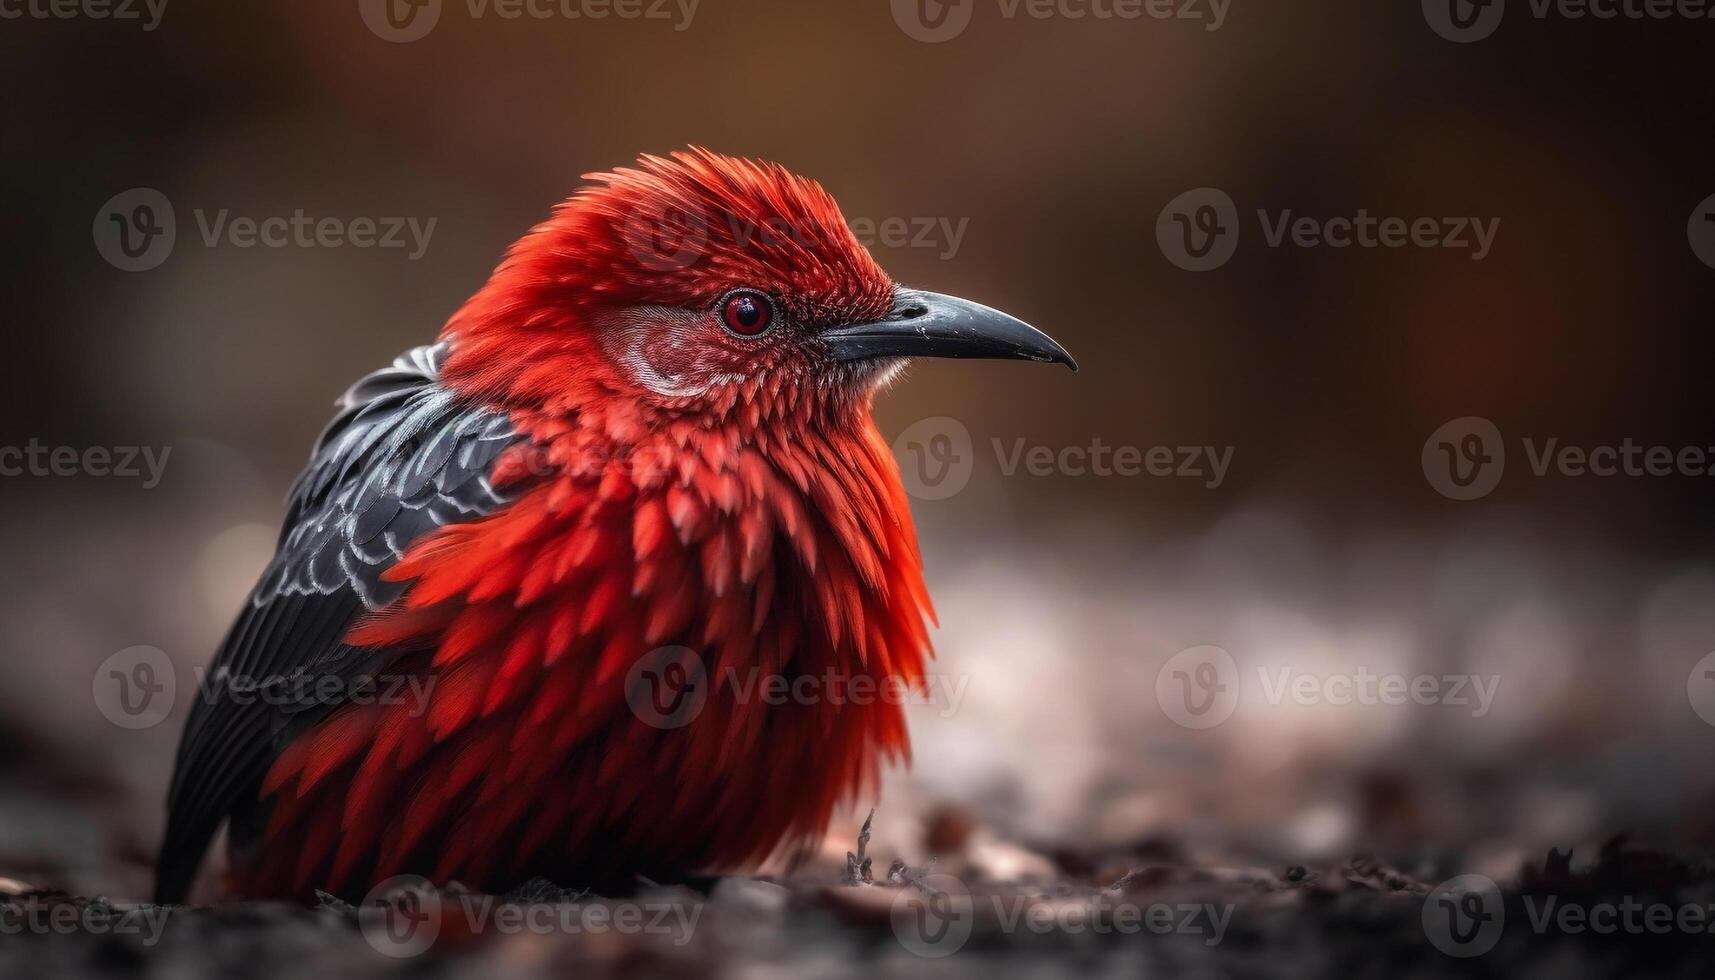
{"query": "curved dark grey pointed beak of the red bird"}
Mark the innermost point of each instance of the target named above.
(934, 325)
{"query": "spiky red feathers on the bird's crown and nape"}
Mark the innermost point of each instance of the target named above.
(670, 234)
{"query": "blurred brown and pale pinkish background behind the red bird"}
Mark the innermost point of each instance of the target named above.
(1056, 143)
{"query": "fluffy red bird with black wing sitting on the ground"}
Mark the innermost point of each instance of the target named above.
(615, 449)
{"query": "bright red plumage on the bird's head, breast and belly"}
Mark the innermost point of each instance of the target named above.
(661, 523)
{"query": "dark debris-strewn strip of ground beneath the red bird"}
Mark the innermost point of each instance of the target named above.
(1618, 914)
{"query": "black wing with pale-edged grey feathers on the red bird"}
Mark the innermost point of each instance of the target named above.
(402, 457)
